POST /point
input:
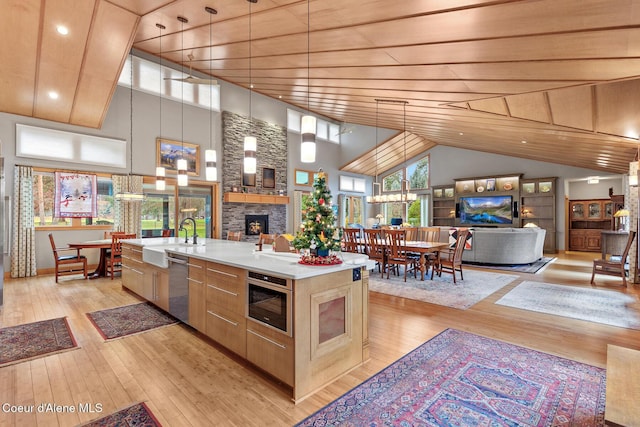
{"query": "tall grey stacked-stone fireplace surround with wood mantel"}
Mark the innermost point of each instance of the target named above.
(271, 153)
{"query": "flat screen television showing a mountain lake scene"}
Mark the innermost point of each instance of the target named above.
(486, 210)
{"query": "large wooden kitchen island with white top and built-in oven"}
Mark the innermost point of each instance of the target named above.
(304, 325)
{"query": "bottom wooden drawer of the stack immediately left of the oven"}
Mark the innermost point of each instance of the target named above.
(227, 328)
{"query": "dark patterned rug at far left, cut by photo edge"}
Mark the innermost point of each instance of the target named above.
(25, 342)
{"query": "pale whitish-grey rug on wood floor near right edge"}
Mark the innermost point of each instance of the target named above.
(594, 305)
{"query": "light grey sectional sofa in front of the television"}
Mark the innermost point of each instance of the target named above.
(502, 245)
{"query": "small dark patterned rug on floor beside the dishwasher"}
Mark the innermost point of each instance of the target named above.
(130, 319)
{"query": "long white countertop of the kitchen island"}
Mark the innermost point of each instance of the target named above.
(244, 255)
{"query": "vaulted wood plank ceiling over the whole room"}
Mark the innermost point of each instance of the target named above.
(562, 76)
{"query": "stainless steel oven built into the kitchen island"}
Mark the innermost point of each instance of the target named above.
(269, 301)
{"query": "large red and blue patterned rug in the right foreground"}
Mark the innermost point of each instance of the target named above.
(461, 379)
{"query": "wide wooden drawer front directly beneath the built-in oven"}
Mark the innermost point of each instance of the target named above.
(271, 351)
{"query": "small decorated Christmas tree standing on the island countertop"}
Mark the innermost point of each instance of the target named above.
(317, 230)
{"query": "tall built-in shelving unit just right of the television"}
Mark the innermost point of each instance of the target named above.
(538, 207)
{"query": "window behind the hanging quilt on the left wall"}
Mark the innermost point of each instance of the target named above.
(43, 209)
